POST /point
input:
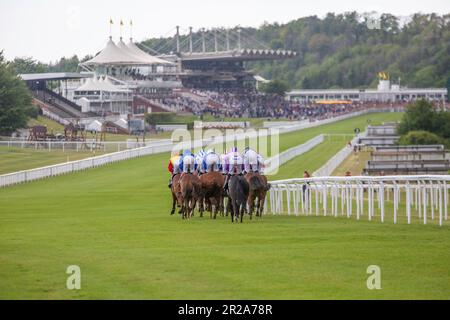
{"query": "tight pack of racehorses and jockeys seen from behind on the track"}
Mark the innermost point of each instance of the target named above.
(208, 179)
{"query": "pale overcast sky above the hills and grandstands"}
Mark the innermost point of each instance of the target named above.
(50, 29)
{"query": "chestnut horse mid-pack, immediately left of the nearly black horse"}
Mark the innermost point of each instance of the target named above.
(212, 187)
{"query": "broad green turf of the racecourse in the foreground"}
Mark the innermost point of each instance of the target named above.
(114, 223)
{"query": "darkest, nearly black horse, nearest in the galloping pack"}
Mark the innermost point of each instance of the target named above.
(238, 190)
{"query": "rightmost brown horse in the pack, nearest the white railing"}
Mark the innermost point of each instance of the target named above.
(258, 190)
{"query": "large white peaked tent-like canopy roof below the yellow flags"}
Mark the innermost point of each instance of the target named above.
(122, 54)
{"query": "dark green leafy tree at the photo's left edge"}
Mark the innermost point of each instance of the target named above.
(15, 99)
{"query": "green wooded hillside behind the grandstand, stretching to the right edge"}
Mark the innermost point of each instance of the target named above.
(344, 51)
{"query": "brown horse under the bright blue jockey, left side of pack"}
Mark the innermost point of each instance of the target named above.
(190, 191)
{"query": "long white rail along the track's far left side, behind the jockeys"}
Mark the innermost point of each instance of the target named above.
(153, 148)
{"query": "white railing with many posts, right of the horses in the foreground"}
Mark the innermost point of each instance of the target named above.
(427, 195)
